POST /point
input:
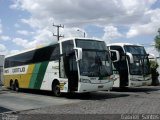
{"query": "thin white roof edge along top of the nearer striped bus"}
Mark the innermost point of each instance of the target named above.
(52, 43)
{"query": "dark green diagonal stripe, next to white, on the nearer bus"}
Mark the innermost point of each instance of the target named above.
(40, 76)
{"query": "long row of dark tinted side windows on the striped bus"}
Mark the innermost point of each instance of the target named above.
(39, 55)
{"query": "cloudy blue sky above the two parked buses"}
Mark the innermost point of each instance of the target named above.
(26, 24)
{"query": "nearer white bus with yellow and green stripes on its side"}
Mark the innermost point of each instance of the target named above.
(71, 65)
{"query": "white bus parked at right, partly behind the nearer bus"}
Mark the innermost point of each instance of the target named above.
(133, 69)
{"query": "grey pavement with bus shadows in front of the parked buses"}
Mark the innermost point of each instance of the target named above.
(118, 102)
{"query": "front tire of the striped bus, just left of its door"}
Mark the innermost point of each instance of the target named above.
(56, 88)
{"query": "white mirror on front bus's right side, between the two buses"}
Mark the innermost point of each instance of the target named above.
(115, 57)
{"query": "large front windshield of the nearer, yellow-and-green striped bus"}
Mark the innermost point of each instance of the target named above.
(95, 60)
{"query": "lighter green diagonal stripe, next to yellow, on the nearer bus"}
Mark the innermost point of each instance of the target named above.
(34, 75)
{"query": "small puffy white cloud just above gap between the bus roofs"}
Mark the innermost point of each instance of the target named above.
(111, 33)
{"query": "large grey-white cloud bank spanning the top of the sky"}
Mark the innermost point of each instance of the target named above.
(71, 12)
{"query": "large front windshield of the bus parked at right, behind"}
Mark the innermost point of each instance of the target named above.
(141, 61)
